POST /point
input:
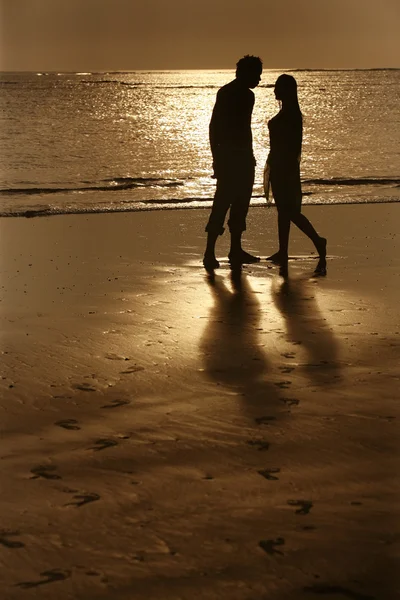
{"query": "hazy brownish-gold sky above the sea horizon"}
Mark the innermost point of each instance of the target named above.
(106, 35)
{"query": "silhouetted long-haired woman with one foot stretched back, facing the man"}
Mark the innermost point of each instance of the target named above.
(286, 132)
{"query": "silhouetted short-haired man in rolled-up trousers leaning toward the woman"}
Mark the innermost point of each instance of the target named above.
(233, 161)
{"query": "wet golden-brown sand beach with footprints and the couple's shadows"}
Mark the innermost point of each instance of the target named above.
(170, 435)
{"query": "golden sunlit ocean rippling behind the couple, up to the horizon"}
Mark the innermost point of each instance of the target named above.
(123, 141)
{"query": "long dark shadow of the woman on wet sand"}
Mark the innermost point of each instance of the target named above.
(307, 328)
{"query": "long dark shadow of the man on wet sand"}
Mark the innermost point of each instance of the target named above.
(231, 349)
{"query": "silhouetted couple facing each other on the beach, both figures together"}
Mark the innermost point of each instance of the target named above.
(234, 165)
